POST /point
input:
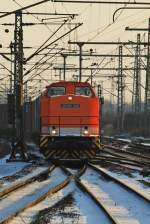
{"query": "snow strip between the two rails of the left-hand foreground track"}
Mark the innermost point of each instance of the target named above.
(23, 196)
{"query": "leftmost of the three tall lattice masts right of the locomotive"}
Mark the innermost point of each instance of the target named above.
(120, 93)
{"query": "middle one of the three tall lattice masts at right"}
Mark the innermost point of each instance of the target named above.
(136, 97)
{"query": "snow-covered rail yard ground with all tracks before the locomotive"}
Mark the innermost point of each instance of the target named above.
(113, 190)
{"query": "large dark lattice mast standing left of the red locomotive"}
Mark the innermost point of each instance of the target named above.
(18, 145)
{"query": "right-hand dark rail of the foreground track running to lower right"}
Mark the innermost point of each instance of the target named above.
(120, 182)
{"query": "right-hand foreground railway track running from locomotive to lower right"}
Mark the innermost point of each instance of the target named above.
(117, 213)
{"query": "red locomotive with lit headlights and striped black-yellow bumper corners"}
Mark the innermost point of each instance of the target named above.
(69, 116)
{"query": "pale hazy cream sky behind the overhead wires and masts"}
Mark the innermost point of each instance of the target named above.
(97, 26)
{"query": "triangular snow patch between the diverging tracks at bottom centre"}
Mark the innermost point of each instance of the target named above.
(86, 210)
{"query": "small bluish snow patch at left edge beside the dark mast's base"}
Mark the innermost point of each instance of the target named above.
(10, 168)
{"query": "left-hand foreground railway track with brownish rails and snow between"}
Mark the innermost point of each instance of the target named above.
(30, 192)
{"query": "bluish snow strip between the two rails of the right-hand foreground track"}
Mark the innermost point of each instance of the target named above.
(137, 207)
